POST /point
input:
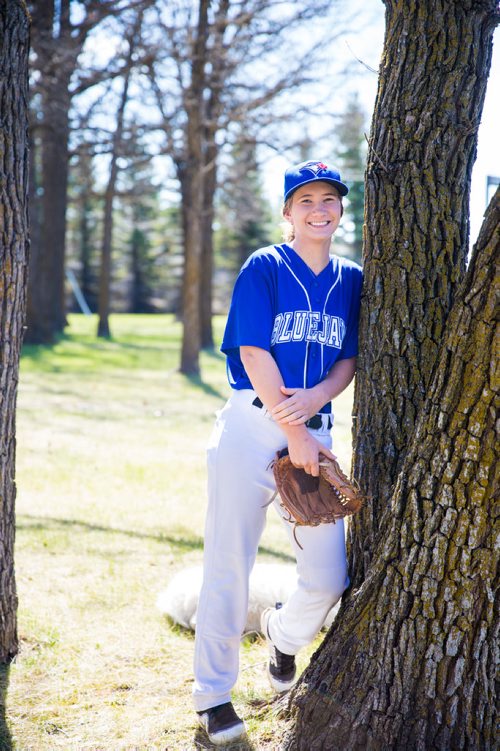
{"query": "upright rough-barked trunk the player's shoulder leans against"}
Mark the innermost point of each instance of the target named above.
(432, 83)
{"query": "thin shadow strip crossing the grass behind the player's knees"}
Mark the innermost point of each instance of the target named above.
(46, 523)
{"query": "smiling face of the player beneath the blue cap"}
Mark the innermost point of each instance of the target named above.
(314, 211)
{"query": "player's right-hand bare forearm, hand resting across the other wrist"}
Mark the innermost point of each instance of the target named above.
(304, 403)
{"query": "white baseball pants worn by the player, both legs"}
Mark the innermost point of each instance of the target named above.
(240, 485)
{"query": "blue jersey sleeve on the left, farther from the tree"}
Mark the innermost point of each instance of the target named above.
(250, 318)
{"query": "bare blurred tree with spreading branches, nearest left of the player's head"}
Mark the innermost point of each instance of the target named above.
(208, 76)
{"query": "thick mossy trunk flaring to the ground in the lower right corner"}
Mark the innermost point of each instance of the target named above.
(410, 662)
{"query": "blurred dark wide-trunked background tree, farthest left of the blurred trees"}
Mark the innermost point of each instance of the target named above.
(58, 40)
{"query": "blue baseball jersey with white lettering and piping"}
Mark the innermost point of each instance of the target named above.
(306, 321)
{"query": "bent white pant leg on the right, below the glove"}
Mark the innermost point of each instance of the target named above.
(322, 578)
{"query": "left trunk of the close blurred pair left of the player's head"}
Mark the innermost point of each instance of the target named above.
(192, 178)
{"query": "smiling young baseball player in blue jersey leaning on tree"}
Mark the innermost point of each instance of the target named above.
(291, 346)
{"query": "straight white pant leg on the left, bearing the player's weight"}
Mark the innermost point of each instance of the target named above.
(240, 484)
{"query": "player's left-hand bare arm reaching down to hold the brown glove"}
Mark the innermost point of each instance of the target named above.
(266, 380)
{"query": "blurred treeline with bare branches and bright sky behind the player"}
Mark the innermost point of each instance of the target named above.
(152, 130)
